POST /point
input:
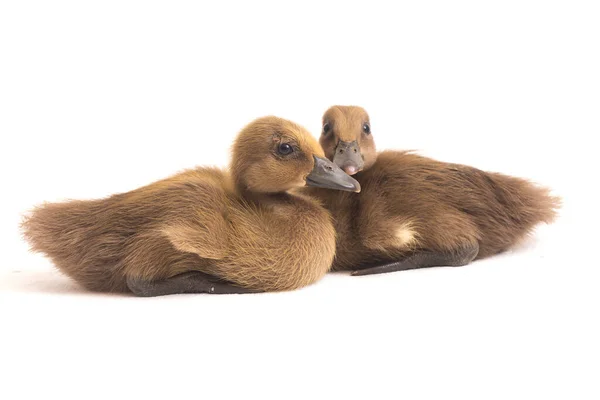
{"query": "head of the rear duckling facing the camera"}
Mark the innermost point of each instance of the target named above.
(346, 138)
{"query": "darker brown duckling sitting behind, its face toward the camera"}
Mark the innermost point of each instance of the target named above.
(416, 212)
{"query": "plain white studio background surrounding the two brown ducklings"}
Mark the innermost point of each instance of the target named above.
(102, 97)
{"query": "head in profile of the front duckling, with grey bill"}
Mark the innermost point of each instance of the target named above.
(272, 155)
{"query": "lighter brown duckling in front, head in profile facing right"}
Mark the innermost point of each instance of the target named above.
(204, 230)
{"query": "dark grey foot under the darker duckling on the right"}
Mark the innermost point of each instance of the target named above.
(425, 259)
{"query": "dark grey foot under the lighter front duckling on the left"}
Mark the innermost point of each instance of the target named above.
(188, 282)
